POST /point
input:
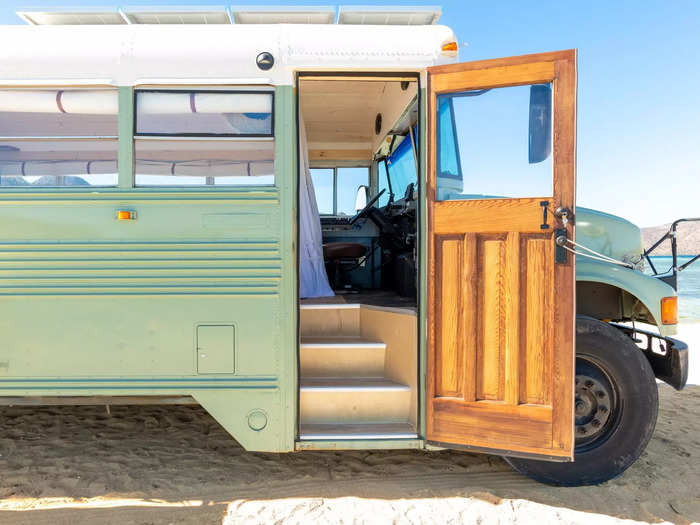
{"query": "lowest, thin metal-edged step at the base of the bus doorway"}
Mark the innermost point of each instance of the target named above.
(341, 431)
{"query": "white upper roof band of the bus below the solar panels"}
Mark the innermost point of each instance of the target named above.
(210, 54)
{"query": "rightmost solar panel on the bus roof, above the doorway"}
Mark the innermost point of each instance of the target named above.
(388, 15)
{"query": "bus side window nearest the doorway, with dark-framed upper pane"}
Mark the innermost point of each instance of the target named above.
(204, 138)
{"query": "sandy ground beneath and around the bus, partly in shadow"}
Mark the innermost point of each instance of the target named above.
(153, 465)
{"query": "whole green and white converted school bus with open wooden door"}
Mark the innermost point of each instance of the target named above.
(329, 235)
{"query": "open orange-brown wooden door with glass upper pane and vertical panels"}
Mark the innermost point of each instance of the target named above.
(501, 296)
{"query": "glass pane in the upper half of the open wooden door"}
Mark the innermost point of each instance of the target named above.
(494, 143)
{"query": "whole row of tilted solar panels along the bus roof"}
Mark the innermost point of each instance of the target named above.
(217, 15)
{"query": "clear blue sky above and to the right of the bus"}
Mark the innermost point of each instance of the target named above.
(638, 91)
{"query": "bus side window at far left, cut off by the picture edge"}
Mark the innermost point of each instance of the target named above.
(57, 138)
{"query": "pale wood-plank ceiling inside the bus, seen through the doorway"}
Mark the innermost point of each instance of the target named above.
(340, 115)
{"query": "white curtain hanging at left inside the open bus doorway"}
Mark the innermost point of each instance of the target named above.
(313, 281)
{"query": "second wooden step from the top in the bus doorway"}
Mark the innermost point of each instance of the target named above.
(341, 356)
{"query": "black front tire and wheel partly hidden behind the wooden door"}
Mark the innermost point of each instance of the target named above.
(608, 438)
